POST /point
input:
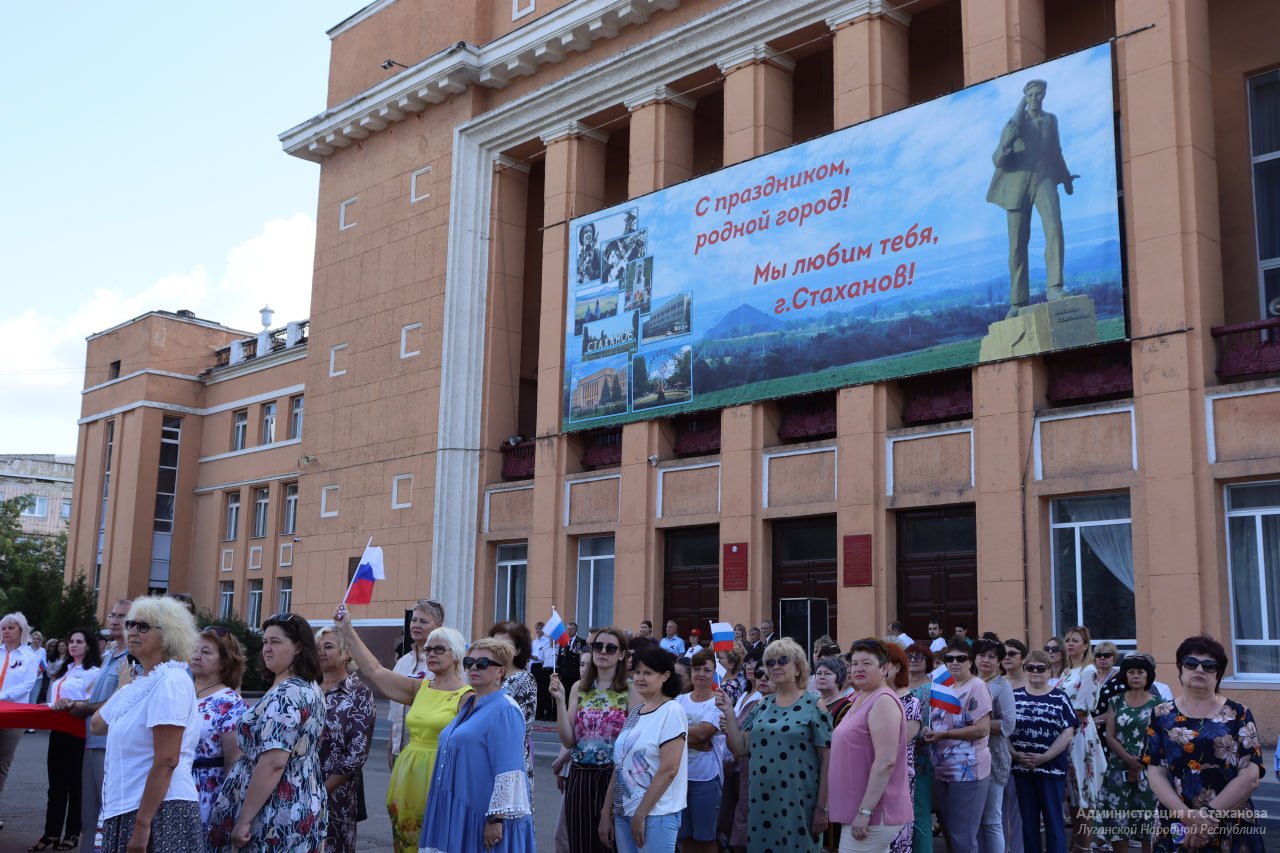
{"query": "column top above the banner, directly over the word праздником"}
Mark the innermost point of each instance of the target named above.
(757, 103)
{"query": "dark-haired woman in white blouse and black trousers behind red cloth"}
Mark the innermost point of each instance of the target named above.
(67, 751)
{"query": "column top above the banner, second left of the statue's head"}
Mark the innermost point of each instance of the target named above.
(870, 53)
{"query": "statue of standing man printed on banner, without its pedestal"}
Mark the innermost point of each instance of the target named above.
(1030, 166)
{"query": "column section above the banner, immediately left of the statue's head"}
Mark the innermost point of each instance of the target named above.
(1002, 37)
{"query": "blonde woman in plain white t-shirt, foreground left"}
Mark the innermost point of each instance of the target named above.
(149, 796)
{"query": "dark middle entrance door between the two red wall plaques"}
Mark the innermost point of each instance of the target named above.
(804, 564)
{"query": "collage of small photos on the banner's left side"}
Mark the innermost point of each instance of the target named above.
(627, 330)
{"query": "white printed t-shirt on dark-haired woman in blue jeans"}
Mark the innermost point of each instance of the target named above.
(637, 755)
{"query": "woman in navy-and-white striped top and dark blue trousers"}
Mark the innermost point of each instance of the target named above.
(1046, 724)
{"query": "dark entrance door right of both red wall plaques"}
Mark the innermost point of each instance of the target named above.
(938, 571)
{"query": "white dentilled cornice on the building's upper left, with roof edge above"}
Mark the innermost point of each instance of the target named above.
(449, 72)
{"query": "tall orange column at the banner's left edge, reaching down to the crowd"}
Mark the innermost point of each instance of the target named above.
(574, 186)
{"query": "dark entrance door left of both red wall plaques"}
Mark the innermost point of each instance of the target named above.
(692, 587)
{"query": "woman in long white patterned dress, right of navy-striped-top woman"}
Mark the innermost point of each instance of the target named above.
(1081, 685)
